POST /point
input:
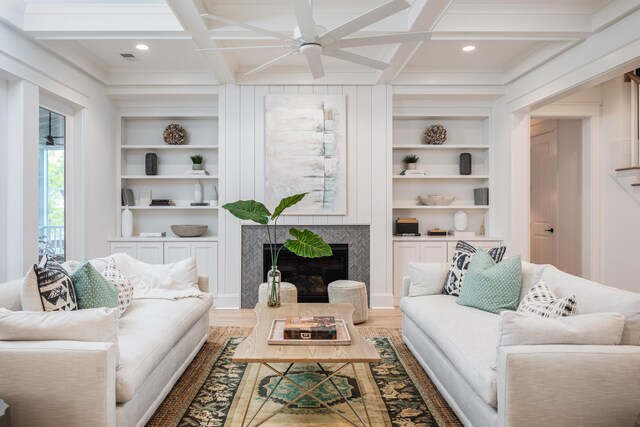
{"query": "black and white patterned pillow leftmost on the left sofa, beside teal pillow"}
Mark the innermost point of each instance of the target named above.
(48, 287)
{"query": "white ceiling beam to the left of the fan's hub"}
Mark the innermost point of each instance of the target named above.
(188, 13)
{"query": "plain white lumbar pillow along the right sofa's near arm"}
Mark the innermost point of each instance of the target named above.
(594, 328)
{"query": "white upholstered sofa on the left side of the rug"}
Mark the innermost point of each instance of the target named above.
(73, 383)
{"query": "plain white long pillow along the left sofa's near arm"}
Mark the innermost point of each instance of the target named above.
(92, 325)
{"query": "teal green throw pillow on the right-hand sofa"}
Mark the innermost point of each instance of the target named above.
(489, 286)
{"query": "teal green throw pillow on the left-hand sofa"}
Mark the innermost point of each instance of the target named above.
(93, 290)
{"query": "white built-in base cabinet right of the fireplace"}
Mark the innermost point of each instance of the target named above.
(426, 249)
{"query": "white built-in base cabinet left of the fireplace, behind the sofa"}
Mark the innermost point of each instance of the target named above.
(163, 251)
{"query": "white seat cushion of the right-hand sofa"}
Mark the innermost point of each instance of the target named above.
(466, 336)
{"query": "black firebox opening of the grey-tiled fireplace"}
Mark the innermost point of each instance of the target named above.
(310, 275)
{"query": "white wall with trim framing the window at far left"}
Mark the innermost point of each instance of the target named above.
(26, 64)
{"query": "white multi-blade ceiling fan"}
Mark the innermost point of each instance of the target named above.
(312, 40)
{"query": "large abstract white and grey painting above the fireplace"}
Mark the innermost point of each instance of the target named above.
(306, 151)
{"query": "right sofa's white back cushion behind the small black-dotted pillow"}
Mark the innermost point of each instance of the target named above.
(593, 297)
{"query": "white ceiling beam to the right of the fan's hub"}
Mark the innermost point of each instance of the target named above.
(423, 16)
